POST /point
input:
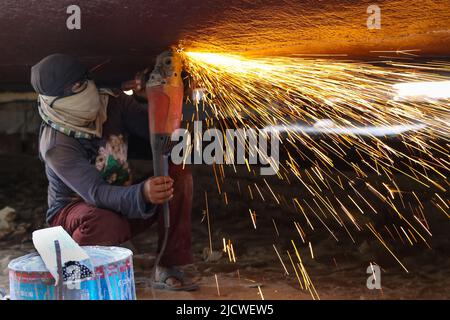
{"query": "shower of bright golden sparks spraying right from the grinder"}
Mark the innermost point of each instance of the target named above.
(334, 109)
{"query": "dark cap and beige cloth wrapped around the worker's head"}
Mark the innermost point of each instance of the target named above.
(80, 115)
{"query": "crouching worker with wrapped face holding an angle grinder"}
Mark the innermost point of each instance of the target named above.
(83, 141)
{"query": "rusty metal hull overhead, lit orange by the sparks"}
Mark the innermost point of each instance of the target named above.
(129, 34)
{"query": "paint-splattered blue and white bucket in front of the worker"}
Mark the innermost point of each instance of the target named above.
(113, 278)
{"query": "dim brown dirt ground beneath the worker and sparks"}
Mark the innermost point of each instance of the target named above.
(337, 271)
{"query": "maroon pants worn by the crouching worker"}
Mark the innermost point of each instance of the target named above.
(89, 225)
